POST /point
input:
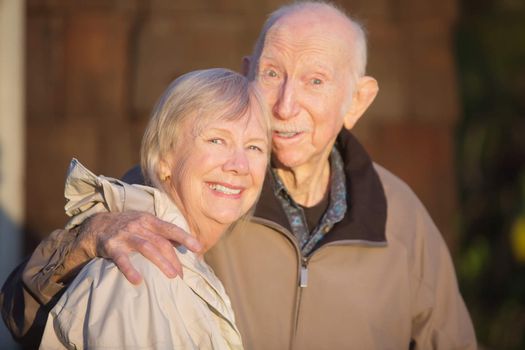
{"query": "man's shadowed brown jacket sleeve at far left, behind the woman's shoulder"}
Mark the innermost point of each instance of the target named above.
(29, 292)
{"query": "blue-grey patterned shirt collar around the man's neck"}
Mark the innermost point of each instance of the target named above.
(306, 239)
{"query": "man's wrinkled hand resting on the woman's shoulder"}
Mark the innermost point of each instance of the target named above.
(115, 235)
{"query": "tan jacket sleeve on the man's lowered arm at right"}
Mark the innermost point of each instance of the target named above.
(440, 319)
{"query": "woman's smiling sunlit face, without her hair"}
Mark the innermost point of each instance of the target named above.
(217, 174)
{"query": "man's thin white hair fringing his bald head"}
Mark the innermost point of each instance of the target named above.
(359, 48)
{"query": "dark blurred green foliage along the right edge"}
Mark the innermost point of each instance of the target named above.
(490, 51)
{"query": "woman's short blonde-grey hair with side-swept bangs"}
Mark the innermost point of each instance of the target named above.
(193, 100)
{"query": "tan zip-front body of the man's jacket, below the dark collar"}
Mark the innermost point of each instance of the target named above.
(350, 293)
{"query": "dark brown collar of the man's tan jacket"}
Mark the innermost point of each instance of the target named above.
(365, 218)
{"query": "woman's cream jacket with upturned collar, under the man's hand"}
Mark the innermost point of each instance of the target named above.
(101, 309)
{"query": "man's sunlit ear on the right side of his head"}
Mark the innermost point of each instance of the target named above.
(365, 92)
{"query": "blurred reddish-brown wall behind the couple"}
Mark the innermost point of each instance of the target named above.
(95, 68)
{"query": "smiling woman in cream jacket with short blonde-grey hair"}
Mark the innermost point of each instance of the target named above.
(204, 153)
